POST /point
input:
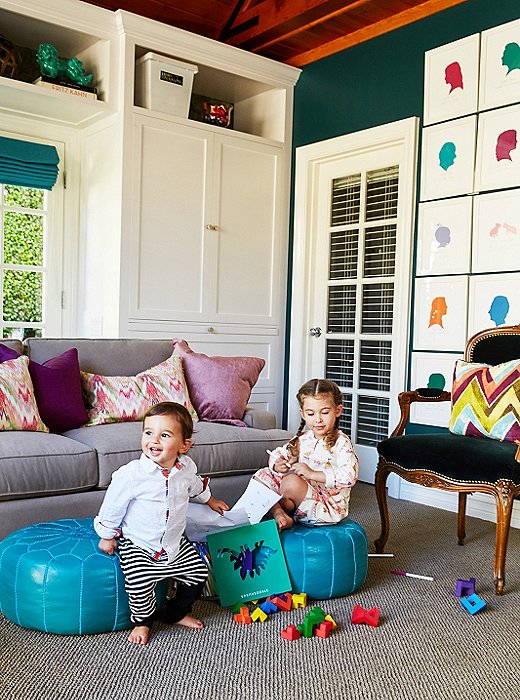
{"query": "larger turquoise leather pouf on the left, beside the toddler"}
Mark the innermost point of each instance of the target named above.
(54, 578)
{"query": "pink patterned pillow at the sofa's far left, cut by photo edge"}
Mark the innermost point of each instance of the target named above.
(18, 409)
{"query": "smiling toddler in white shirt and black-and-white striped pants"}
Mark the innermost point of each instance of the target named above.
(143, 515)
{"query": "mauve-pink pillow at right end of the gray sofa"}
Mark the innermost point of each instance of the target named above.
(219, 387)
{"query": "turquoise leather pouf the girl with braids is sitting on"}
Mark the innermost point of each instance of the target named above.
(327, 561)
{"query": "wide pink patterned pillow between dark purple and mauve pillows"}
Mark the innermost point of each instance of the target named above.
(118, 399)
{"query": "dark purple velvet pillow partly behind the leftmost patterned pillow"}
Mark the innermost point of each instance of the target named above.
(57, 388)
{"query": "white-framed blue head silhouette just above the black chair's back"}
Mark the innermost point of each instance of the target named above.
(494, 300)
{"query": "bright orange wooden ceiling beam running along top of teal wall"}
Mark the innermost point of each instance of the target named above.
(425, 9)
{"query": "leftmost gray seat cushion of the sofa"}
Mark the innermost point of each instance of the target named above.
(44, 464)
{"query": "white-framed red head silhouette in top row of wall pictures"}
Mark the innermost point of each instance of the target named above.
(451, 80)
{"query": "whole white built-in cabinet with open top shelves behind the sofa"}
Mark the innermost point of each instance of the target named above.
(183, 226)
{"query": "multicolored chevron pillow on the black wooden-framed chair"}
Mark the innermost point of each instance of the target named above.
(485, 400)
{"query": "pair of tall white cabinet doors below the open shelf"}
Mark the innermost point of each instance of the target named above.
(205, 229)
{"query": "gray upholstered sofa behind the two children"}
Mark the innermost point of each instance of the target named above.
(45, 476)
